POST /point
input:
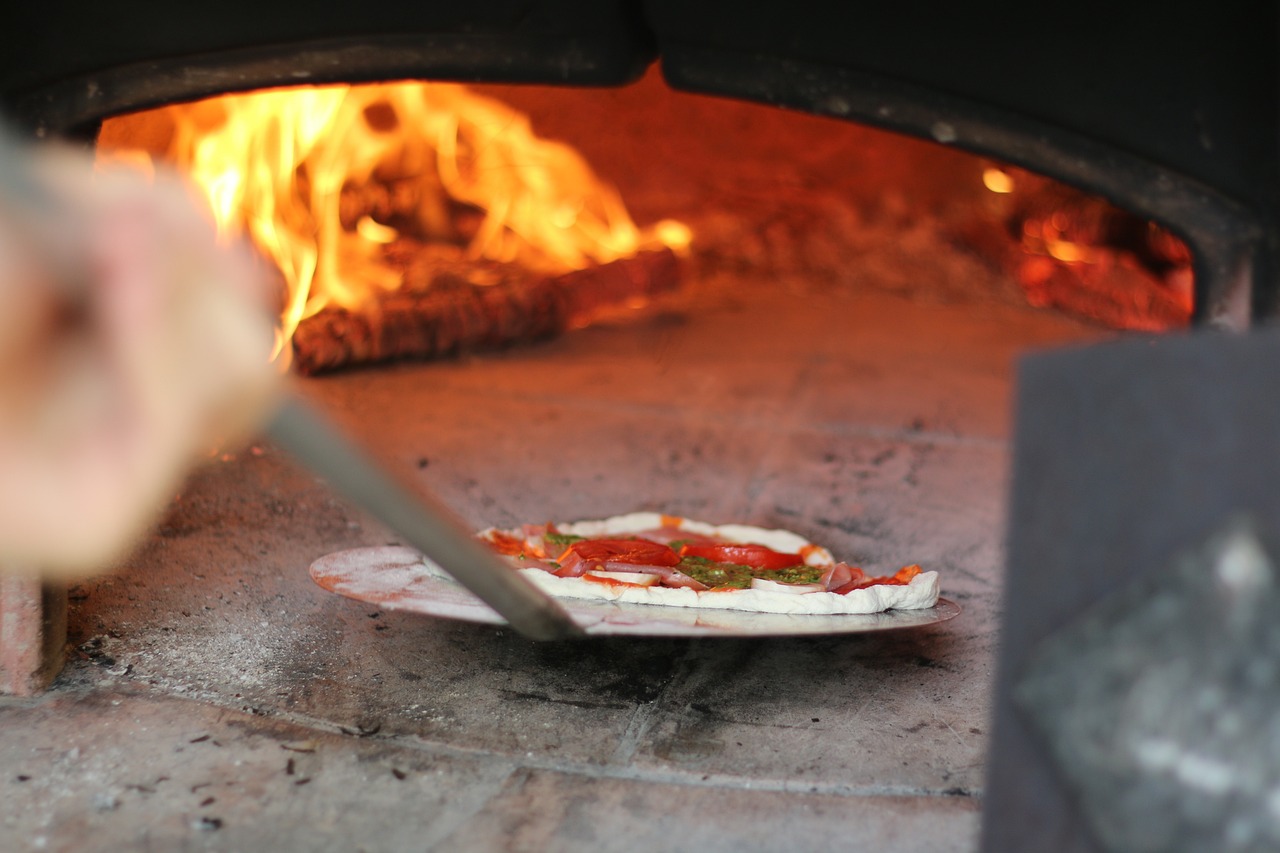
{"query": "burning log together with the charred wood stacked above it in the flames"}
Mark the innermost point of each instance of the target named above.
(450, 303)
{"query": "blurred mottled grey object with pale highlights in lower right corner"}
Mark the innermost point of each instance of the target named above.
(1163, 706)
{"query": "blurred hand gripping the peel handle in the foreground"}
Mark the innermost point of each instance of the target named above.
(131, 344)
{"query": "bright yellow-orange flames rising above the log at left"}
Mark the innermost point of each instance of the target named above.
(324, 179)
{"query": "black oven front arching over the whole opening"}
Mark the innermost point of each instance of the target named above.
(1171, 112)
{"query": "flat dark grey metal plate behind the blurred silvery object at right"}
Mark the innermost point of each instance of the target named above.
(1127, 457)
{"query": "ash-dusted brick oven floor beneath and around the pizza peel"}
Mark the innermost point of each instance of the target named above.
(218, 700)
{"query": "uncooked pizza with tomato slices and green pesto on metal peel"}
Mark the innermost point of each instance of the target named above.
(652, 559)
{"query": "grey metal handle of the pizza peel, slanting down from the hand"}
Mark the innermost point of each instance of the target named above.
(424, 523)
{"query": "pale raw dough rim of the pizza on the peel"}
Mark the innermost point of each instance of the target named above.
(922, 592)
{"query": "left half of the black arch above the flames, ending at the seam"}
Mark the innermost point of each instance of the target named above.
(67, 65)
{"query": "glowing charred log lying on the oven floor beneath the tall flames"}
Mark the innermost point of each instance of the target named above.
(449, 308)
